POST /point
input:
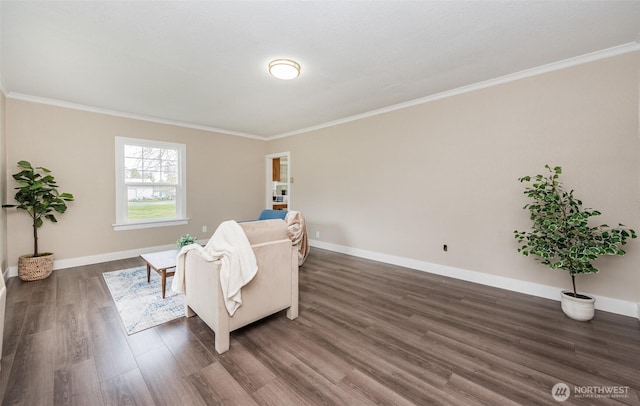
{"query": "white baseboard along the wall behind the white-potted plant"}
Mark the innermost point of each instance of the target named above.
(608, 304)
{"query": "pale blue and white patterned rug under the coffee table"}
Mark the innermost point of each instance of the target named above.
(139, 302)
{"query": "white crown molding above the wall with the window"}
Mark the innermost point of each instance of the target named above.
(82, 107)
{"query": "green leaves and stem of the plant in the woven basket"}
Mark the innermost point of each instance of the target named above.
(38, 195)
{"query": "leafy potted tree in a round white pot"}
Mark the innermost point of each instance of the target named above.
(562, 238)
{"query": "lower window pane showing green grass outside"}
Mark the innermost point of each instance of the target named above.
(151, 202)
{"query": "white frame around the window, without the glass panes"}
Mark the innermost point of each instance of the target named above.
(122, 220)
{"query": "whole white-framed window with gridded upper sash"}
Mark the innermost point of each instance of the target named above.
(150, 183)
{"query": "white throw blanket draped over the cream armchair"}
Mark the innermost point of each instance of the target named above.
(230, 245)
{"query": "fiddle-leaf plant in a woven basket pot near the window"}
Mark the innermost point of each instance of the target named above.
(38, 195)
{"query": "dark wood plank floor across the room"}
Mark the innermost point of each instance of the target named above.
(368, 333)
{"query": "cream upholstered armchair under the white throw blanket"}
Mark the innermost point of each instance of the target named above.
(274, 288)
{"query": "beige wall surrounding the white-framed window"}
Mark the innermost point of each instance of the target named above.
(225, 178)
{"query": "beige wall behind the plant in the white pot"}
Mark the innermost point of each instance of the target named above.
(405, 183)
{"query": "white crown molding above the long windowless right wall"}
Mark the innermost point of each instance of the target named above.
(554, 66)
